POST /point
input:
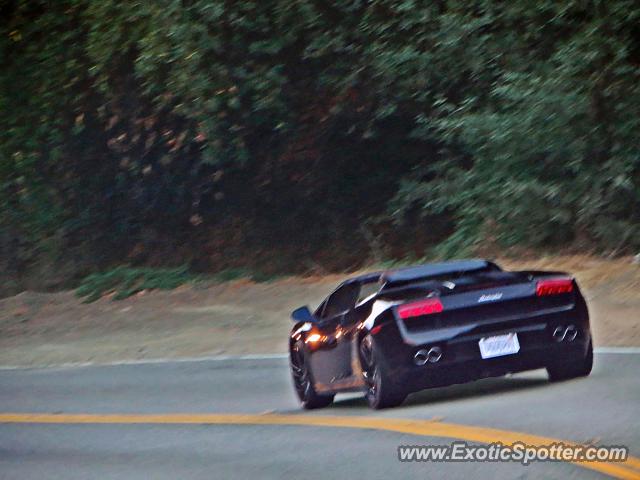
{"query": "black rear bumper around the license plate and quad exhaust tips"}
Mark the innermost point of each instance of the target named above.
(461, 360)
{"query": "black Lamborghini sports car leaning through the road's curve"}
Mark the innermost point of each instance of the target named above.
(395, 332)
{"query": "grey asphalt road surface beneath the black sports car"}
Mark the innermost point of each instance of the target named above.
(134, 431)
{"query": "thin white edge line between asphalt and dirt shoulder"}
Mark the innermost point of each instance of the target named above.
(221, 358)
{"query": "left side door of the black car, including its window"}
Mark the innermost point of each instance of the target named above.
(330, 358)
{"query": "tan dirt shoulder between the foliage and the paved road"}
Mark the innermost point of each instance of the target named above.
(248, 318)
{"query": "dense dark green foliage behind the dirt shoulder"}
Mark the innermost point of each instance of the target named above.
(297, 135)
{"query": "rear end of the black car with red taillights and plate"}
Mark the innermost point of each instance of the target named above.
(488, 324)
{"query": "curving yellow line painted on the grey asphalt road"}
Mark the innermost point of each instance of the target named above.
(628, 470)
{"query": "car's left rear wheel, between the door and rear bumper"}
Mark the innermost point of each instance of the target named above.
(382, 390)
